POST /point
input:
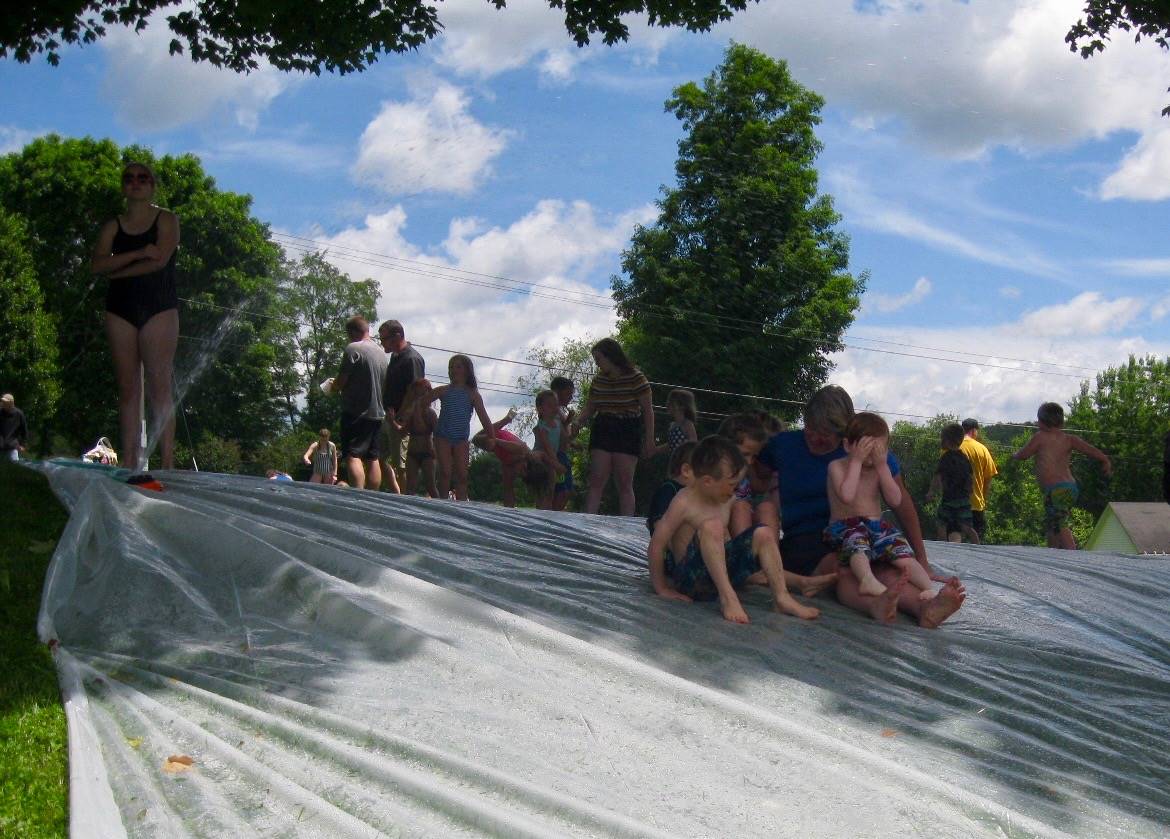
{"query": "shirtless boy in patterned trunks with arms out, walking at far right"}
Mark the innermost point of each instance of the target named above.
(1052, 448)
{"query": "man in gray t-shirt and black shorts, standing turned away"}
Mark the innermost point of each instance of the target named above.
(361, 383)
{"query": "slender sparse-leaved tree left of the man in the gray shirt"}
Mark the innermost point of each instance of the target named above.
(319, 299)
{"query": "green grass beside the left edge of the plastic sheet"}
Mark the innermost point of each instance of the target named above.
(33, 753)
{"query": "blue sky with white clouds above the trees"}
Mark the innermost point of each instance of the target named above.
(1008, 198)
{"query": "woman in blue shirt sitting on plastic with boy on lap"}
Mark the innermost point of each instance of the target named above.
(802, 459)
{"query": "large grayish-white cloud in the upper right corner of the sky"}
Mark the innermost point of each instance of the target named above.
(969, 77)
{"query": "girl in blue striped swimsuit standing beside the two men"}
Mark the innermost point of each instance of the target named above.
(452, 437)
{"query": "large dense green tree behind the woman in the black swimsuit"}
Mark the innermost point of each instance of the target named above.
(63, 190)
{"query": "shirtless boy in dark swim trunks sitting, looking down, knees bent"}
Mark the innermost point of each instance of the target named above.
(704, 563)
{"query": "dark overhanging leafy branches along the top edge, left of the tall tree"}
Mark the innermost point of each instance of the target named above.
(335, 36)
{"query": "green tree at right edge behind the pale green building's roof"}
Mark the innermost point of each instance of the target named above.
(1126, 414)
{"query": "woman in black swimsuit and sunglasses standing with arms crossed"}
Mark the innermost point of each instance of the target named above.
(136, 251)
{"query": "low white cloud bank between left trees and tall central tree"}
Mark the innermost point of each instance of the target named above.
(455, 299)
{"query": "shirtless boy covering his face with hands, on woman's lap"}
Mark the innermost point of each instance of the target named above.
(857, 486)
